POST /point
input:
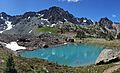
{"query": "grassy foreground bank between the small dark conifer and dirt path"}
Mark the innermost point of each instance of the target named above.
(24, 65)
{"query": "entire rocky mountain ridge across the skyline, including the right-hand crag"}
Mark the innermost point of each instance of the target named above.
(30, 21)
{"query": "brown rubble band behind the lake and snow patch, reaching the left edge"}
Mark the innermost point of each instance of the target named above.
(44, 40)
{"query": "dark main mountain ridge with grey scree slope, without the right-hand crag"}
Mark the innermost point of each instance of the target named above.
(29, 21)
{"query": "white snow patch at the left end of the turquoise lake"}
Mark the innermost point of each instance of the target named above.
(14, 46)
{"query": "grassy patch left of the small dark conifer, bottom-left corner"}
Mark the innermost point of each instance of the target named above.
(5, 60)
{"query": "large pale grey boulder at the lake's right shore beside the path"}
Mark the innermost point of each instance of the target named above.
(107, 56)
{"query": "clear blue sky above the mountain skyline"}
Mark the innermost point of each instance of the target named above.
(93, 9)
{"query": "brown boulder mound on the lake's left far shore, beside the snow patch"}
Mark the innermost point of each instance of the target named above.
(44, 40)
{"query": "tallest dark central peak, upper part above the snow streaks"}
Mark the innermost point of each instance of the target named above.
(55, 14)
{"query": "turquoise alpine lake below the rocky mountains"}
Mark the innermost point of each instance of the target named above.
(69, 54)
